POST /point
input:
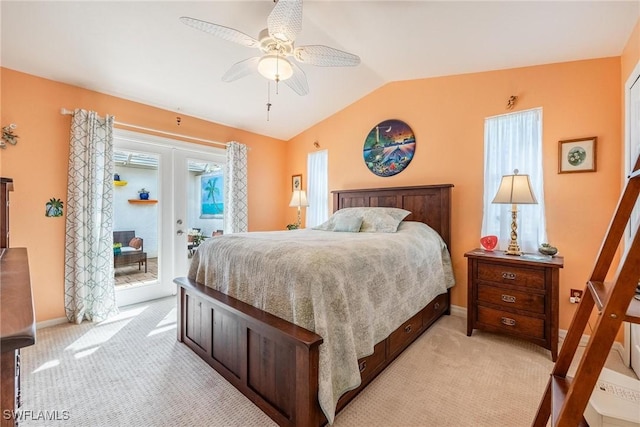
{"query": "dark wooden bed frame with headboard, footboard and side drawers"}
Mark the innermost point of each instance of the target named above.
(274, 362)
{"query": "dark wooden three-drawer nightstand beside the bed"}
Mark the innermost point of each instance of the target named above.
(514, 295)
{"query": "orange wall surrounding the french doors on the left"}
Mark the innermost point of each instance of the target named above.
(38, 165)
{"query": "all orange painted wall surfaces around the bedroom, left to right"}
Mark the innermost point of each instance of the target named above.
(447, 115)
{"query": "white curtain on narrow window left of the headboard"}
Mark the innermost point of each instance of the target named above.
(317, 188)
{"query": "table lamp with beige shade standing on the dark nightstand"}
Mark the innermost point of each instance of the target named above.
(514, 189)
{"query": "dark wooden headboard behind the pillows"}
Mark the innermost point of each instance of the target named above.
(430, 204)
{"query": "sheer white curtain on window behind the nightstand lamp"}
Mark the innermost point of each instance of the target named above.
(514, 141)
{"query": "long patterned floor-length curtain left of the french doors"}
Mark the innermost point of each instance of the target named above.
(88, 277)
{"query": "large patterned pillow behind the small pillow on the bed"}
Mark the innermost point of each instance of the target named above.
(374, 219)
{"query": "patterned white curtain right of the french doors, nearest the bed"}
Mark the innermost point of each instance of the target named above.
(235, 189)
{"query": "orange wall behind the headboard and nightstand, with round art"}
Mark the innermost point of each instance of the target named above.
(579, 99)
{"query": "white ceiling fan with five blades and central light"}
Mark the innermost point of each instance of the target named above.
(277, 45)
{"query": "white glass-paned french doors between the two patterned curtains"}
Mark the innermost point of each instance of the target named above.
(175, 174)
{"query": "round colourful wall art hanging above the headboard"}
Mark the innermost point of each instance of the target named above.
(389, 147)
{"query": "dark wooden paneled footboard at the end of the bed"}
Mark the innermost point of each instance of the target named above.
(271, 361)
